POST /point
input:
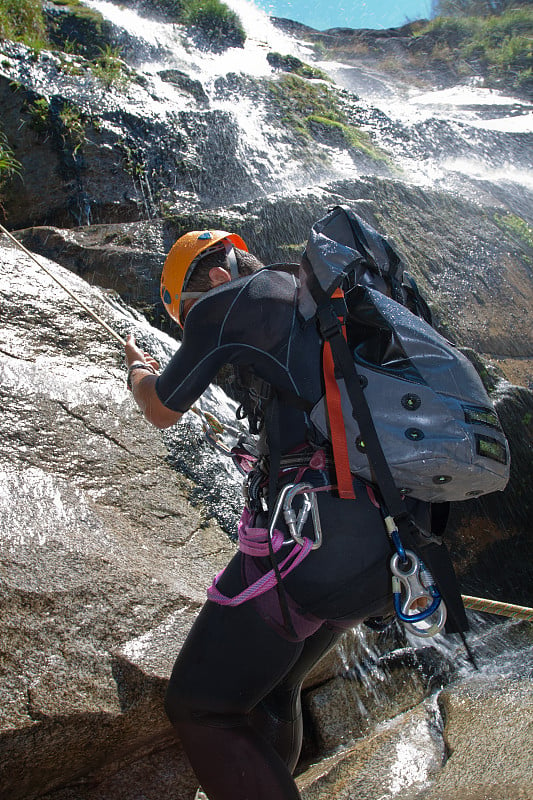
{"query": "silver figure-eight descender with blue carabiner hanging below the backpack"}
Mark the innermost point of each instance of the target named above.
(427, 621)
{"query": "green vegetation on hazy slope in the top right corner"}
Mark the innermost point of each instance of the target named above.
(492, 39)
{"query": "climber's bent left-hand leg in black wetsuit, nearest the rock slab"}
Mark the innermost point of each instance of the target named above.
(230, 661)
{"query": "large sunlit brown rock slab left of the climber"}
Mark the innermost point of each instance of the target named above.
(99, 543)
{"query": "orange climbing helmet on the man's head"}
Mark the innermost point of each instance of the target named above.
(183, 259)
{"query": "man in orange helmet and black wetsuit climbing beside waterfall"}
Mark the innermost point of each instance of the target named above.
(234, 694)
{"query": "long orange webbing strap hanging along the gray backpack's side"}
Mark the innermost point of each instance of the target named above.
(336, 422)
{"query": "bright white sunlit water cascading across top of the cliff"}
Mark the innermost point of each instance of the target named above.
(469, 113)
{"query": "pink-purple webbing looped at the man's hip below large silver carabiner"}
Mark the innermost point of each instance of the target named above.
(254, 542)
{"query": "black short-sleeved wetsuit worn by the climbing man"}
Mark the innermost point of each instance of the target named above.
(234, 692)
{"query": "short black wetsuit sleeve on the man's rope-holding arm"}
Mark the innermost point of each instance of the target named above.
(196, 363)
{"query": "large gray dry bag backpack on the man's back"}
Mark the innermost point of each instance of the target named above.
(413, 409)
